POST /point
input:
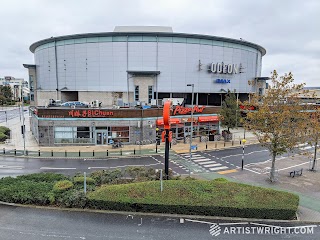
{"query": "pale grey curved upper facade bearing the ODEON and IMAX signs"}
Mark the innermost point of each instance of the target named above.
(143, 64)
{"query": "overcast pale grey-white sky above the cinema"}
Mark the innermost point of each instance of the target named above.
(288, 29)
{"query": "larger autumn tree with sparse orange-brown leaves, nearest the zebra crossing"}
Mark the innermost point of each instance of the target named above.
(279, 119)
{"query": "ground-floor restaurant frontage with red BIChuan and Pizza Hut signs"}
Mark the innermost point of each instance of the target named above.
(65, 126)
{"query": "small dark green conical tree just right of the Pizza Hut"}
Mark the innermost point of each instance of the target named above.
(230, 111)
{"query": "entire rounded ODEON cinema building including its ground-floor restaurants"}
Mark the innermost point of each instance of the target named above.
(130, 71)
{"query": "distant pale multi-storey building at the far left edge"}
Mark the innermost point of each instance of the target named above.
(18, 86)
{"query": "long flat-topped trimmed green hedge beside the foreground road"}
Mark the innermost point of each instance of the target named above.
(214, 198)
